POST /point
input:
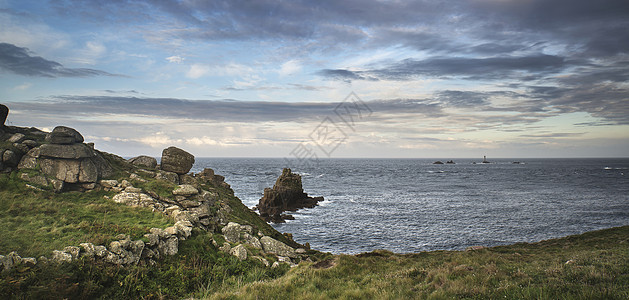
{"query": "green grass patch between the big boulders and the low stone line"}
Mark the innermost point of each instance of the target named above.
(34, 223)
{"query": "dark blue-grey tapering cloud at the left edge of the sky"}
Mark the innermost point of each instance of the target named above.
(19, 61)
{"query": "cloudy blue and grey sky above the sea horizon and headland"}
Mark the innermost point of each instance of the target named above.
(323, 79)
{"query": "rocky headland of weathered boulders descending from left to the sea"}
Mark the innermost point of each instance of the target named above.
(61, 162)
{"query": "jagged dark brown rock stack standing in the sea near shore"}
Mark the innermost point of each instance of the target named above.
(286, 195)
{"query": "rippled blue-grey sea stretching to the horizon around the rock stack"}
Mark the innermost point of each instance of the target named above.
(412, 205)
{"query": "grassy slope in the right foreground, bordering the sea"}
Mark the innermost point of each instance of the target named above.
(599, 268)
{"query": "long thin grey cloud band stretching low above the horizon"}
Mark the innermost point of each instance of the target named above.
(212, 110)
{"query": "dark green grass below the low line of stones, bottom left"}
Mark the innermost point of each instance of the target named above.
(197, 270)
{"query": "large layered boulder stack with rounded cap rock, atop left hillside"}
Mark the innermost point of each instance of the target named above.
(67, 160)
